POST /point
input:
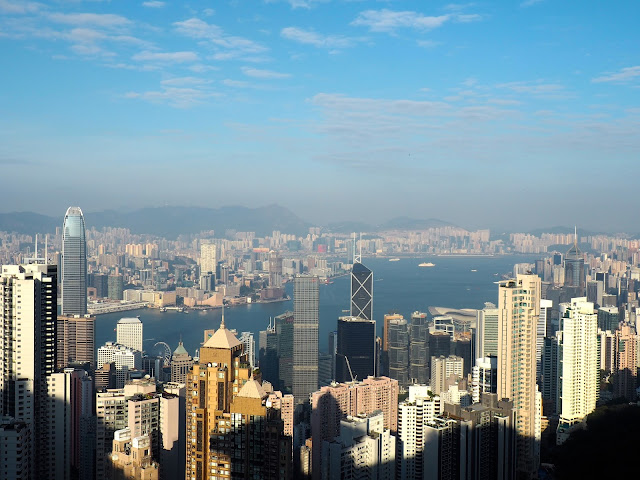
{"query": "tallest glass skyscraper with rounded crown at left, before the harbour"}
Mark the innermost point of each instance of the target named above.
(74, 263)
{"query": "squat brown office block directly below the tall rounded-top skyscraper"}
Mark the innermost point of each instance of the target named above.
(76, 340)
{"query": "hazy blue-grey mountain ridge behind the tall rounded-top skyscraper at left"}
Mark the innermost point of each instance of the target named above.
(170, 222)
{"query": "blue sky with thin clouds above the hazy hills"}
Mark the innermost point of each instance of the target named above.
(500, 114)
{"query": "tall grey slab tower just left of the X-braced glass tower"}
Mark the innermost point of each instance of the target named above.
(306, 296)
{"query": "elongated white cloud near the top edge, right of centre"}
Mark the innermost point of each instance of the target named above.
(388, 20)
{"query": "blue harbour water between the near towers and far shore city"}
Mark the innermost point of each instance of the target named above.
(401, 286)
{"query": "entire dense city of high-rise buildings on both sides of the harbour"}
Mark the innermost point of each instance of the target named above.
(496, 392)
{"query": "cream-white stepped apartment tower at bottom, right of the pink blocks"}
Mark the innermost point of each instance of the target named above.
(414, 414)
